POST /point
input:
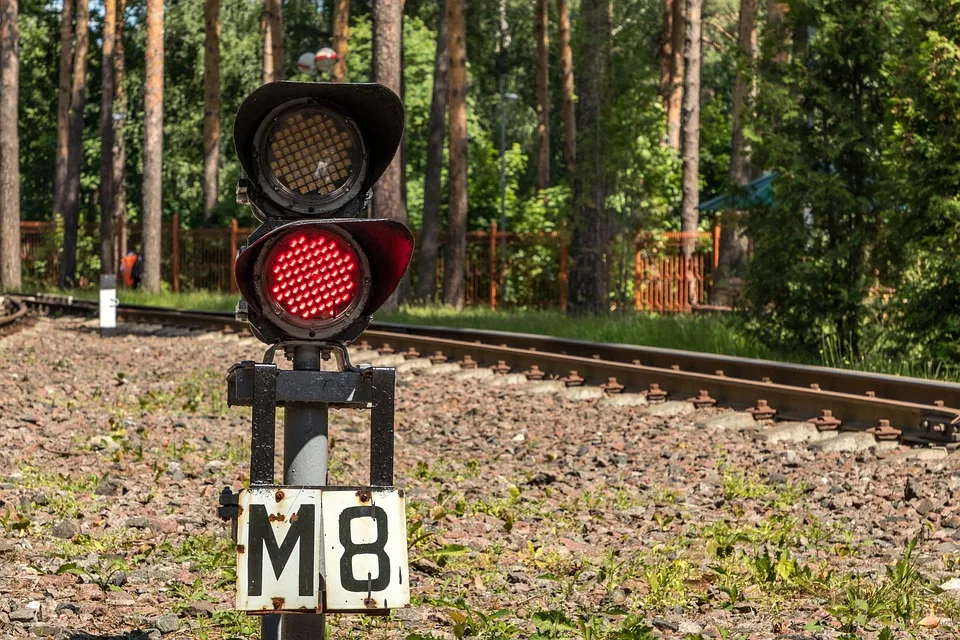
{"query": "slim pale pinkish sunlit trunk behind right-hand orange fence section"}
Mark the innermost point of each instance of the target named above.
(690, 214)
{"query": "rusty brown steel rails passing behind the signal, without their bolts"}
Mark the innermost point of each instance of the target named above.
(918, 420)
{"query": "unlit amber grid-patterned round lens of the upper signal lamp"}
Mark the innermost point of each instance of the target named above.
(311, 152)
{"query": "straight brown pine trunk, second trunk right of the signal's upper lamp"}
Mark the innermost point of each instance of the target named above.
(455, 250)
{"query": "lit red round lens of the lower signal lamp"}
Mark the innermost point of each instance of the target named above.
(312, 275)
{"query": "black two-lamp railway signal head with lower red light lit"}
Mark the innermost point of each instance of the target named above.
(310, 153)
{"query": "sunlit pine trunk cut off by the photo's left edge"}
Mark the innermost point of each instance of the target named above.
(9, 147)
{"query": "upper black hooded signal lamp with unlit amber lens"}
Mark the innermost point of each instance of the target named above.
(314, 149)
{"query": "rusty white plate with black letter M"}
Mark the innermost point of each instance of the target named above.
(278, 562)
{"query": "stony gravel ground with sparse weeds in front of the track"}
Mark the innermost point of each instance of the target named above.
(531, 515)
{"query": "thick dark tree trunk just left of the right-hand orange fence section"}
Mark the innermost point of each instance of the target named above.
(590, 179)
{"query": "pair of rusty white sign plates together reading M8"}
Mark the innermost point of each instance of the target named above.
(331, 549)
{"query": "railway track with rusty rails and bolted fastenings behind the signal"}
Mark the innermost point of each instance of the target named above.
(890, 407)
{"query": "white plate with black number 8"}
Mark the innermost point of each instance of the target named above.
(365, 550)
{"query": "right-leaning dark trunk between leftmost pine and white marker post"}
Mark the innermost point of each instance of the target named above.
(71, 193)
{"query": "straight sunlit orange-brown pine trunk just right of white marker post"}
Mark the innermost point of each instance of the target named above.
(153, 147)
